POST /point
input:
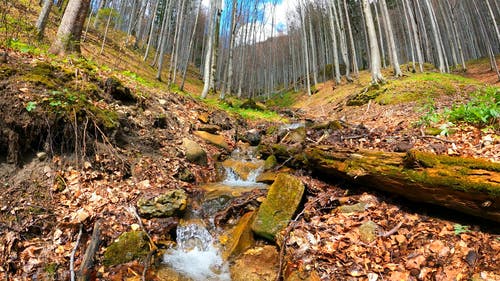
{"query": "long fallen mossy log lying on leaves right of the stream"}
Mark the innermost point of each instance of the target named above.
(467, 185)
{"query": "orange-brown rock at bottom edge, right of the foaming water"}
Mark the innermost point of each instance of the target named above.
(256, 264)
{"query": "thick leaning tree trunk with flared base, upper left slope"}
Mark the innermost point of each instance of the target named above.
(71, 27)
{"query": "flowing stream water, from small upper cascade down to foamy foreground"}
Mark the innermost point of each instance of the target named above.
(196, 255)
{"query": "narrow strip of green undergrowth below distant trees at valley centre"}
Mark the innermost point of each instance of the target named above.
(233, 106)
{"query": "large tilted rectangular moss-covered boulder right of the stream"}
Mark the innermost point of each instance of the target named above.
(281, 203)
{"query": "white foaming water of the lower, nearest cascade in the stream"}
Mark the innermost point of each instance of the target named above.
(195, 255)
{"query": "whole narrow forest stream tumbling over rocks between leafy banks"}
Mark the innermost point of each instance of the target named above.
(198, 254)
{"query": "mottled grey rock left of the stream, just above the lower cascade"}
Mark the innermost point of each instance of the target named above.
(170, 203)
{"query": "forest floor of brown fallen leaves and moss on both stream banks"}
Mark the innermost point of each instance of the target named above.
(69, 160)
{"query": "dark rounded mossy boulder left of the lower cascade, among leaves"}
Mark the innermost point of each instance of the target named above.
(129, 246)
